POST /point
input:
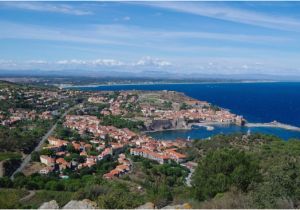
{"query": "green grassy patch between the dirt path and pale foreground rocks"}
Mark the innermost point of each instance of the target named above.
(42, 196)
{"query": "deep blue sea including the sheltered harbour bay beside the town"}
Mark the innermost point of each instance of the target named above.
(257, 102)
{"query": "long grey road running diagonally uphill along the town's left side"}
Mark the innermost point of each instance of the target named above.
(39, 146)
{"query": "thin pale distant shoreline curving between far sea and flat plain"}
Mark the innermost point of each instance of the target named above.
(65, 86)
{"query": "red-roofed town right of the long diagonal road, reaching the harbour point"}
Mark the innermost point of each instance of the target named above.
(109, 141)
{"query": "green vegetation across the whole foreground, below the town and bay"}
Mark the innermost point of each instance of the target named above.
(234, 171)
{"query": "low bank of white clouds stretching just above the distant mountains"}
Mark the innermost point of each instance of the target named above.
(182, 66)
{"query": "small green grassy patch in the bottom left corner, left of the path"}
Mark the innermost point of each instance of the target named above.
(9, 198)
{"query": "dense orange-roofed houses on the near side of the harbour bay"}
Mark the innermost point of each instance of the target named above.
(119, 139)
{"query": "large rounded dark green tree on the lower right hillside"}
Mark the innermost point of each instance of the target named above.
(221, 169)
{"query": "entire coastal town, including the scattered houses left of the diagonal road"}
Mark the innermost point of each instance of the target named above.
(109, 125)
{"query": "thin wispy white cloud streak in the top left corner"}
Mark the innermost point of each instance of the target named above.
(47, 7)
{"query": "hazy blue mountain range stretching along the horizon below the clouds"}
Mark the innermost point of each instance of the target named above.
(155, 74)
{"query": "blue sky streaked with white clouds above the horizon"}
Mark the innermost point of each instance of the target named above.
(219, 38)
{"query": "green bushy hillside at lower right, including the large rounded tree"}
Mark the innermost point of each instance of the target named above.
(261, 171)
